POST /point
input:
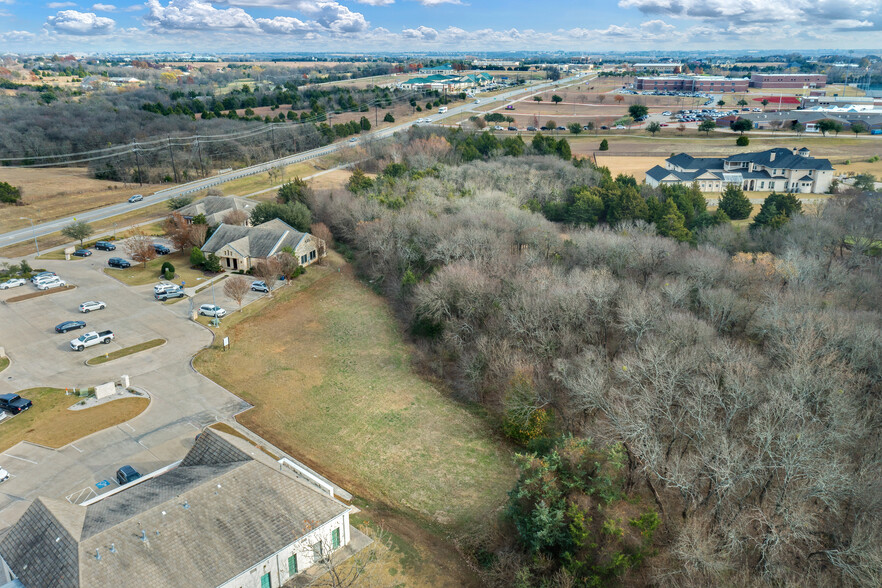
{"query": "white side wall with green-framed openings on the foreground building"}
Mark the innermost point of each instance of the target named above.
(277, 564)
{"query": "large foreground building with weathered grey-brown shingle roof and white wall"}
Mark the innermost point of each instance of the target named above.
(228, 515)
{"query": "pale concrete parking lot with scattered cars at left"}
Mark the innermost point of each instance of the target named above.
(182, 400)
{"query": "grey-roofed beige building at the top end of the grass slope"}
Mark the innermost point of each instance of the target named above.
(242, 247)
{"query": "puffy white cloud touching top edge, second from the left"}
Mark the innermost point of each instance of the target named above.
(194, 14)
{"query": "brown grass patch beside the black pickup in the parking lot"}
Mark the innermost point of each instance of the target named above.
(50, 423)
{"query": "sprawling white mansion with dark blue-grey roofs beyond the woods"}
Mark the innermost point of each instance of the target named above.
(784, 170)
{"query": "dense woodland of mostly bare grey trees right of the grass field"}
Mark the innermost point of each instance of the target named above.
(728, 381)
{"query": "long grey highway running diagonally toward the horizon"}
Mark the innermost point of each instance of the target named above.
(24, 234)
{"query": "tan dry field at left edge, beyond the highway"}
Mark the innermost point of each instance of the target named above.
(50, 193)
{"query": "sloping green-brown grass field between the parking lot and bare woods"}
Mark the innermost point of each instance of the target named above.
(334, 387)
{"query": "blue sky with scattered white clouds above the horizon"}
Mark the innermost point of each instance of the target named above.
(206, 26)
